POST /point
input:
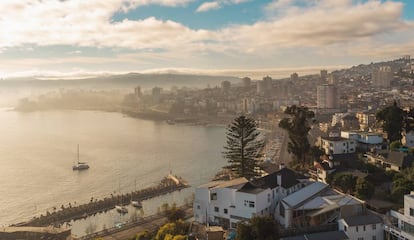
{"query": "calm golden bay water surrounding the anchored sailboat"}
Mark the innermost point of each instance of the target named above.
(37, 151)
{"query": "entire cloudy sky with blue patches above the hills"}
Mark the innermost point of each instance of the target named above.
(94, 36)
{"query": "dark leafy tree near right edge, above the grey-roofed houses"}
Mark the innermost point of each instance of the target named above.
(392, 121)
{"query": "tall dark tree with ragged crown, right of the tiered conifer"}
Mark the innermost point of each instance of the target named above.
(297, 126)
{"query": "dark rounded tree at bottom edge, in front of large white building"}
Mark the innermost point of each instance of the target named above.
(258, 228)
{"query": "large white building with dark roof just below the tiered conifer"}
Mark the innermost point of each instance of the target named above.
(228, 202)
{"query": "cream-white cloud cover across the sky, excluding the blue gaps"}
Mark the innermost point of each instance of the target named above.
(289, 33)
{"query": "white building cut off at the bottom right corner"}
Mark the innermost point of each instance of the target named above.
(400, 225)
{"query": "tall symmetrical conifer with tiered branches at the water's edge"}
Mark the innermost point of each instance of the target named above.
(243, 147)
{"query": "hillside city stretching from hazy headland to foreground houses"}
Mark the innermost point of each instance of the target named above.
(354, 183)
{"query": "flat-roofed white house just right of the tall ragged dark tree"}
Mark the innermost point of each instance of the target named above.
(337, 145)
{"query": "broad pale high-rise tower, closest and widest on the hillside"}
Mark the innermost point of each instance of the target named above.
(327, 96)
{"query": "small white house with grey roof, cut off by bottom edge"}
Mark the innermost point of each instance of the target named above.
(362, 227)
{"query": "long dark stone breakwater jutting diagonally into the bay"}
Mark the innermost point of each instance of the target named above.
(65, 214)
